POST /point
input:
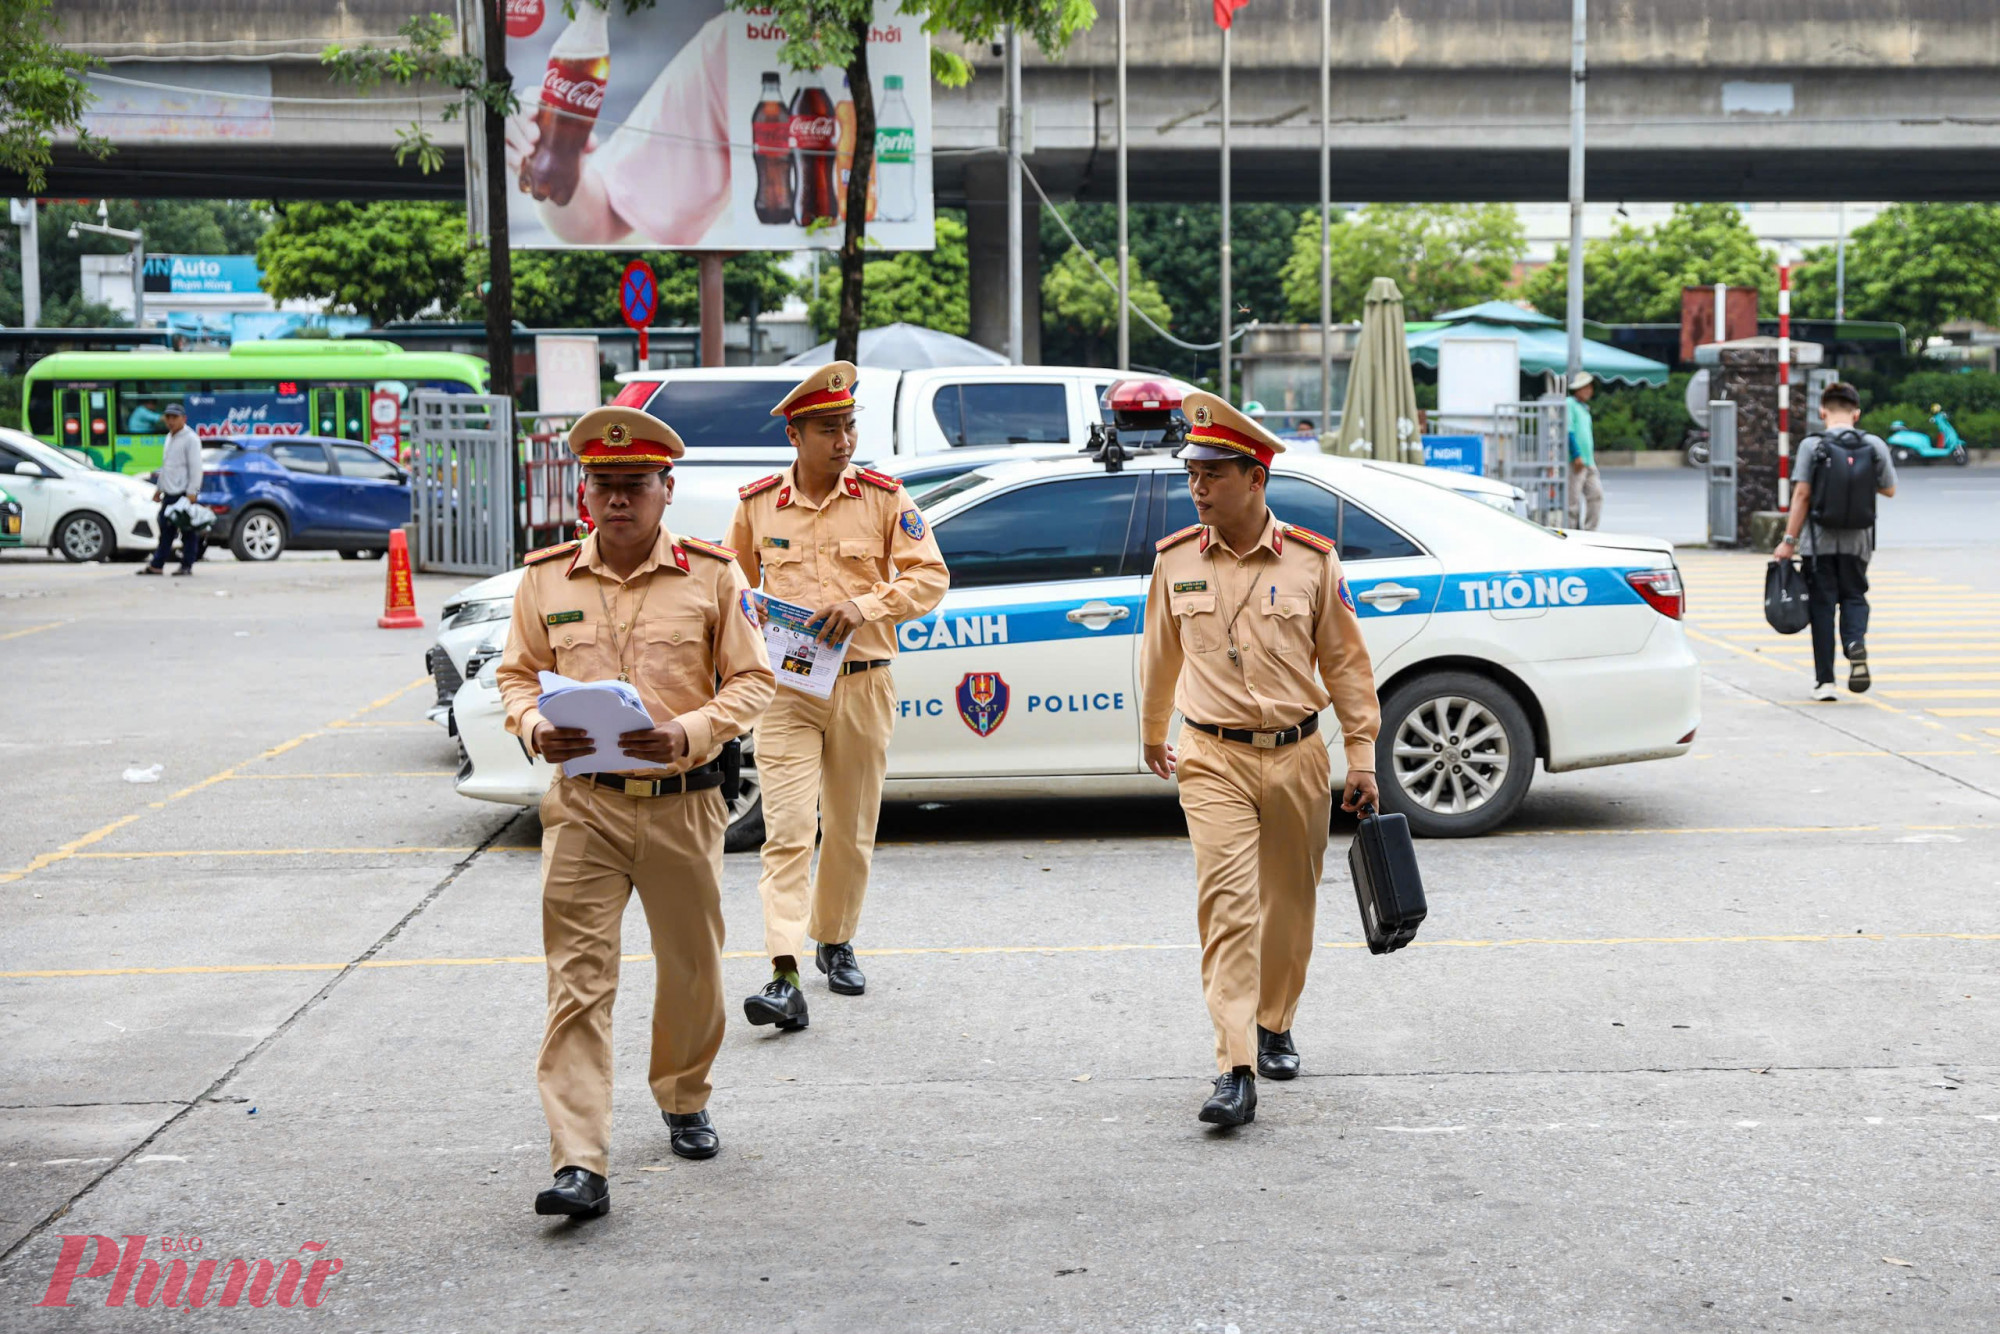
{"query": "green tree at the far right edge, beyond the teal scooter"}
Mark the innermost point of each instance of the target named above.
(1919, 265)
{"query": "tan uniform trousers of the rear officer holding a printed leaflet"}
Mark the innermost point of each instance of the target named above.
(821, 765)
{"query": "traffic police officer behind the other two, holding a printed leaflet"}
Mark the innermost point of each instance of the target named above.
(851, 545)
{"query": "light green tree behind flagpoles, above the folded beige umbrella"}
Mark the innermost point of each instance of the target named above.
(1441, 255)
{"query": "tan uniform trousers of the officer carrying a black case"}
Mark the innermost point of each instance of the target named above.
(1257, 821)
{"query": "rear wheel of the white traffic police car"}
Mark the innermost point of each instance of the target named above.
(1455, 755)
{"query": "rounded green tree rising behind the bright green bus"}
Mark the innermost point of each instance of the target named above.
(387, 261)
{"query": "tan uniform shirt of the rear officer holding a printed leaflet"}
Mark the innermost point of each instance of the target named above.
(867, 543)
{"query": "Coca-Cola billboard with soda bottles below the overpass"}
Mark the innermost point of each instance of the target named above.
(681, 129)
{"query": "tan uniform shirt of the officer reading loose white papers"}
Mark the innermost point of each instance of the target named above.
(675, 627)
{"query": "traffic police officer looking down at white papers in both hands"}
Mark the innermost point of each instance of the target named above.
(663, 613)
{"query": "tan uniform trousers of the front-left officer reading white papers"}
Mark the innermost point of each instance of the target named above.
(597, 849)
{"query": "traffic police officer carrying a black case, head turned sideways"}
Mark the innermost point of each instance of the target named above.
(1245, 619)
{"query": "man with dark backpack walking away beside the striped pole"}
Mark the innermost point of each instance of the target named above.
(1835, 483)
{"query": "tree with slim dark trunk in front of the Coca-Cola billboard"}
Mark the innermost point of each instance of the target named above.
(835, 35)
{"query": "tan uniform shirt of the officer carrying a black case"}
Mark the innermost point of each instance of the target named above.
(1287, 607)
